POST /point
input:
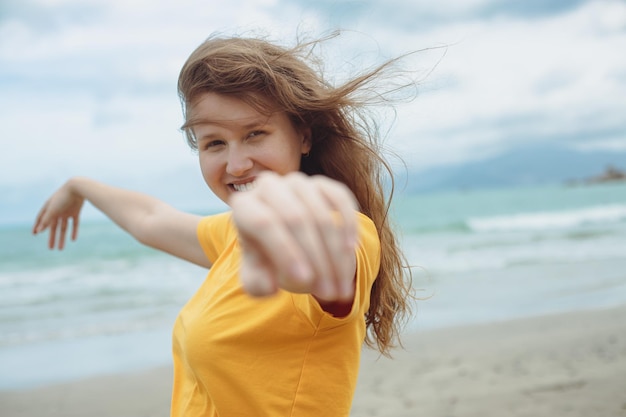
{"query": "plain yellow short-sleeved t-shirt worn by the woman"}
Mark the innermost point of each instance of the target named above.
(236, 355)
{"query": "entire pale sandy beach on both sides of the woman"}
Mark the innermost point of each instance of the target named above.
(563, 365)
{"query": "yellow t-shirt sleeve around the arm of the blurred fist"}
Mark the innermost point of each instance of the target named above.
(367, 266)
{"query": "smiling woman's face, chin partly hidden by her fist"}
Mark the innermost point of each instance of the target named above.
(236, 143)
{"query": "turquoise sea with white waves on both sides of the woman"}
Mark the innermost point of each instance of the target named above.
(106, 304)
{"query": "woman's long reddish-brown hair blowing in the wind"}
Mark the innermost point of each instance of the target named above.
(345, 142)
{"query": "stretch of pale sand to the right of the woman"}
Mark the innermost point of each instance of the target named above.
(564, 365)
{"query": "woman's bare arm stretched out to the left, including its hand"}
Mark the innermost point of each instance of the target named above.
(149, 220)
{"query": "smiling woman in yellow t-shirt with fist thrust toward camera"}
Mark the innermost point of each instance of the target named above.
(303, 268)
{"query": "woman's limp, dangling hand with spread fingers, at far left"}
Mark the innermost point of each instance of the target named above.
(55, 214)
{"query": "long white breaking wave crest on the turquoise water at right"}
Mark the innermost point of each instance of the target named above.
(567, 219)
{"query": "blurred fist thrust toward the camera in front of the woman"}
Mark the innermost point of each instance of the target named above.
(297, 233)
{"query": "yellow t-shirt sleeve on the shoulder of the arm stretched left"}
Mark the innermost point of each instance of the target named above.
(214, 233)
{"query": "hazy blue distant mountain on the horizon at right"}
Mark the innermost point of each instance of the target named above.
(518, 167)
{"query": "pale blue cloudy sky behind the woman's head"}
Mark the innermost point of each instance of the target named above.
(89, 87)
